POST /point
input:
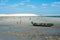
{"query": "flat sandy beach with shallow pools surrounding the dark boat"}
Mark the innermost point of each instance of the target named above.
(24, 30)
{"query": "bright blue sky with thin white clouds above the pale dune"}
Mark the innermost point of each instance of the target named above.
(30, 6)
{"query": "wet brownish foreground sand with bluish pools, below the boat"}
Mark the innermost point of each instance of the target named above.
(32, 33)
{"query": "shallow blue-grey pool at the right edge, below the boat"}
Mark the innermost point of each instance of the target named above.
(50, 31)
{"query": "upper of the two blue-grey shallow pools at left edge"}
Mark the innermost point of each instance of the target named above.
(10, 28)
